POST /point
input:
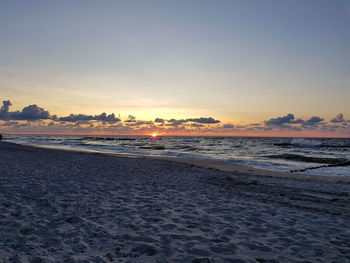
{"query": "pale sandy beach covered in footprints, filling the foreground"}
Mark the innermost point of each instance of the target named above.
(62, 206)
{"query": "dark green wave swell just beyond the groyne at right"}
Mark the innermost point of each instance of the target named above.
(308, 159)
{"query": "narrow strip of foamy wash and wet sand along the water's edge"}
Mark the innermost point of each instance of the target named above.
(212, 164)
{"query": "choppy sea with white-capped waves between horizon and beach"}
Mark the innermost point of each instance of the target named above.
(282, 154)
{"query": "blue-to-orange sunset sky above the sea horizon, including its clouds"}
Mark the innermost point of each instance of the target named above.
(248, 65)
